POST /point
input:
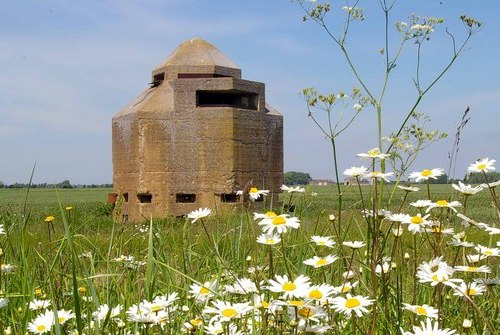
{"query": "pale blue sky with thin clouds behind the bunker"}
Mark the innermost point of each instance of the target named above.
(68, 66)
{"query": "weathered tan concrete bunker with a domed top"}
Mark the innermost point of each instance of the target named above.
(197, 136)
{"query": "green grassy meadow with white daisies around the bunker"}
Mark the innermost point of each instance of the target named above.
(62, 253)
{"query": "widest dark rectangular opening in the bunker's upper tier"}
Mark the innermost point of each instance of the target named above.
(235, 99)
